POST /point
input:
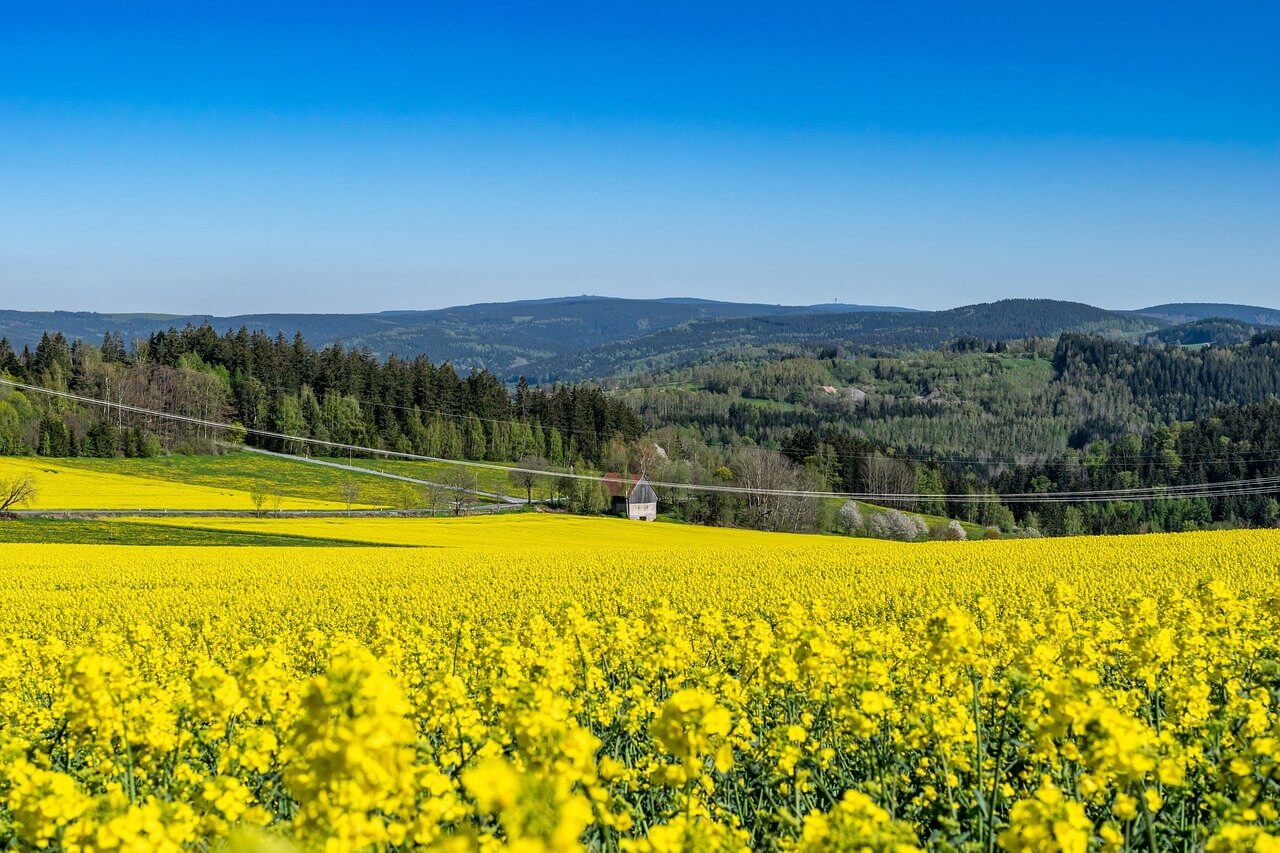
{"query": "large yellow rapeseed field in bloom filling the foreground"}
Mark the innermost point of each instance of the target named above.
(543, 683)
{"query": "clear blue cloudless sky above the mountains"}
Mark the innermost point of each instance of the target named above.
(335, 158)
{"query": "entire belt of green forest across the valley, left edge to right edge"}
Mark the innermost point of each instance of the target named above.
(975, 417)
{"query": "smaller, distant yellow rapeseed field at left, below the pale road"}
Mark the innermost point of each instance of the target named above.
(63, 487)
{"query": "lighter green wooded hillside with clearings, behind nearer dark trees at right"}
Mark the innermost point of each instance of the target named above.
(1022, 402)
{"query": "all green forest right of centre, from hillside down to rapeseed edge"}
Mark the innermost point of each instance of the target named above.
(991, 418)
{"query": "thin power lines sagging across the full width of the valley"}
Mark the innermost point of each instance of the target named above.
(1224, 489)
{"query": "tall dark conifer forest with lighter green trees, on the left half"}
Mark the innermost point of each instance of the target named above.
(331, 395)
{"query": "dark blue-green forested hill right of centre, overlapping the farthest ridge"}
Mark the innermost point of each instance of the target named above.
(1008, 320)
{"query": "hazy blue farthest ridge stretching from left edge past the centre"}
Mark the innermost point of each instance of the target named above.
(499, 336)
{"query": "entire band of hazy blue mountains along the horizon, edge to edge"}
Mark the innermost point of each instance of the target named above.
(582, 337)
